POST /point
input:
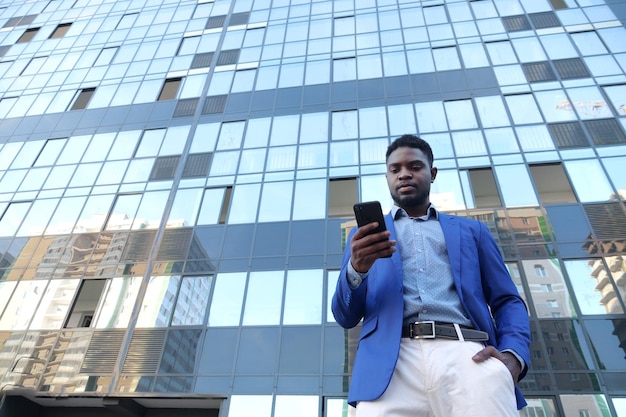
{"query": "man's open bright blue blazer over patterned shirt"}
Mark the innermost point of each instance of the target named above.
(481, 280)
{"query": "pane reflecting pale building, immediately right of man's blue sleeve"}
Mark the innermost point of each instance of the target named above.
(549, 293)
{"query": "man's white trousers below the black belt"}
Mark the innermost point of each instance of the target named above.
(438, 378)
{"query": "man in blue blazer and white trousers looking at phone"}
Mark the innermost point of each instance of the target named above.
(445, 332)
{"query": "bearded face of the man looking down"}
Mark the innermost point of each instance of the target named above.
(409, 176)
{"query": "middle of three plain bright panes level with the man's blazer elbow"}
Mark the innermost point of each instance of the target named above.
(264, 298)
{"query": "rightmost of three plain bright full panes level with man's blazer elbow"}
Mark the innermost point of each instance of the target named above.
(303, 297)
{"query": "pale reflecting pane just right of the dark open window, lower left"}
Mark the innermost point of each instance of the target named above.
(117, 303)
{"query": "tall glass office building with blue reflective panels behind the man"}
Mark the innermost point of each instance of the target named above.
(177, 180)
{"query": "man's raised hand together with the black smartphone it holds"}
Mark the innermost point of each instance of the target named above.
(371, 240)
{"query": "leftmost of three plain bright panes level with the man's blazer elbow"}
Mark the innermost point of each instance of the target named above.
(227, 299)
